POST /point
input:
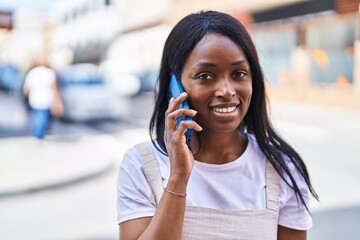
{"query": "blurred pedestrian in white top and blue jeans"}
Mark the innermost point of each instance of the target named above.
(43, 97)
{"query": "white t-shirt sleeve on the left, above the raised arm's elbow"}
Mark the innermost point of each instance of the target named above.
(134, 196)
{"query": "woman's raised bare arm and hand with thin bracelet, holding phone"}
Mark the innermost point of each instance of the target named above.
(167, 222)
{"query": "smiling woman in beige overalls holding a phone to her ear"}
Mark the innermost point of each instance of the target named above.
(237, 179)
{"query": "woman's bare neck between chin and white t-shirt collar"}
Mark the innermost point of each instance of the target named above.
(218, 148)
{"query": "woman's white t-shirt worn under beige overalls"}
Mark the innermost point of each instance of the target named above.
(238, 185)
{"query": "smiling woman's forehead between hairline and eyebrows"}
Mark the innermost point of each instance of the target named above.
(216, 47)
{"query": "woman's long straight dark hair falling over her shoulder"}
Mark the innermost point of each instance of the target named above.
(178, 46)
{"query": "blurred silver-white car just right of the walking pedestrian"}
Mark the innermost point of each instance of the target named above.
(86, 96)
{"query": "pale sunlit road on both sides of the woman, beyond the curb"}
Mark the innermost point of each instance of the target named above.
(327, 138)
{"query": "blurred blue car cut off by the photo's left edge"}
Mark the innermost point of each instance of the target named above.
(11, 78)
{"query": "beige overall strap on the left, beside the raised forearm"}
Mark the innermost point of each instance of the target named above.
(151, 169)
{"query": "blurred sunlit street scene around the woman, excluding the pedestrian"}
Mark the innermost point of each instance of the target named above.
(106, 55)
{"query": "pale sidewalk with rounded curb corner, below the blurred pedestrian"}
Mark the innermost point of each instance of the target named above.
(29, 166)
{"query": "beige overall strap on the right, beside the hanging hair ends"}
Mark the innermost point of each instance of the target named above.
(272, 187)
